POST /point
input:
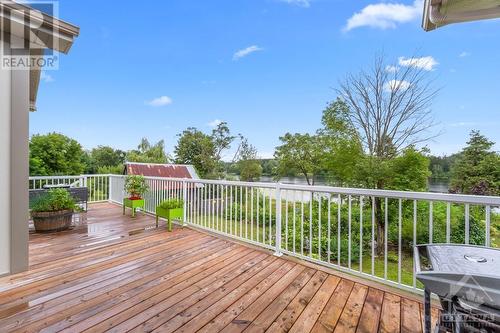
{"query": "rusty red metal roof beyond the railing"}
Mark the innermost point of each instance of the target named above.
(161, 170)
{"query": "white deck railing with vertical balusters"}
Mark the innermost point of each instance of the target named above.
(335, 227)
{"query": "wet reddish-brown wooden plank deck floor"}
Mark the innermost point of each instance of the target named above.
(105, 275)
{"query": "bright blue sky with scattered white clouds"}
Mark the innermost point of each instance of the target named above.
(267, 67)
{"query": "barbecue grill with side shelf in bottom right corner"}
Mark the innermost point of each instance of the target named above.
(466, 279)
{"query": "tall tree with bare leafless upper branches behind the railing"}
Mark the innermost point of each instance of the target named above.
(391, 111)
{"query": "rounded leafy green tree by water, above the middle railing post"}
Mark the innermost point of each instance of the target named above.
(301, 152)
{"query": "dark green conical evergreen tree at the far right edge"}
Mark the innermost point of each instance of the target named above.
(477, 168)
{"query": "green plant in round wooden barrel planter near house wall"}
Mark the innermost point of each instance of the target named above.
(53, 211)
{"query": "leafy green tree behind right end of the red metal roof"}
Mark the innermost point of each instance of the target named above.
(196, 148)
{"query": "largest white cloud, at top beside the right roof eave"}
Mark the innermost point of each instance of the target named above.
(385, 15)
